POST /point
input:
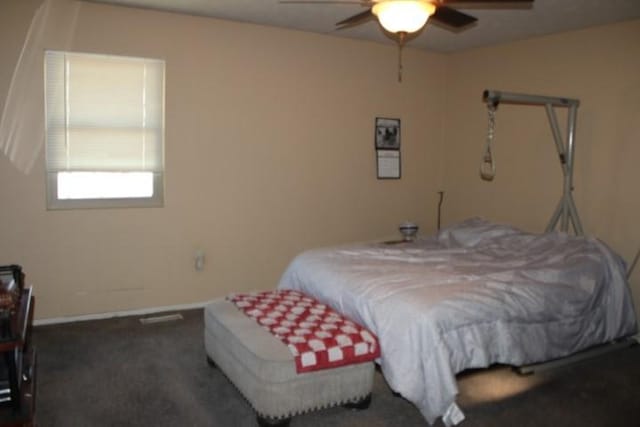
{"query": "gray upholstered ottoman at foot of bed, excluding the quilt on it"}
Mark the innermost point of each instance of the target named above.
(263, 369)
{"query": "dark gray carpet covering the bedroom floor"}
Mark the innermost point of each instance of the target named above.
(119, 372)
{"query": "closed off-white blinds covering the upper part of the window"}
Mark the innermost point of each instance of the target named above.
(104, 113)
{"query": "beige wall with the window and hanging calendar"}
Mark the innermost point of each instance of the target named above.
(269, 151)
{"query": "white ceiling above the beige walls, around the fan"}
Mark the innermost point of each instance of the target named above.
(494, 26)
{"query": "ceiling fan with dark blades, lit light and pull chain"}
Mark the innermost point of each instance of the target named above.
(403, 17)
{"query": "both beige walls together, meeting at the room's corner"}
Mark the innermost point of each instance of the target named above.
(269, 151)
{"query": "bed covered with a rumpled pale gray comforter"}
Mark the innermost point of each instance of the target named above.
(473, 295)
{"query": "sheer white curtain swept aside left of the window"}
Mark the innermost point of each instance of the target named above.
(22, 121)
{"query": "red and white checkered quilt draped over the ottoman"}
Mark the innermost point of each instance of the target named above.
(318, 337)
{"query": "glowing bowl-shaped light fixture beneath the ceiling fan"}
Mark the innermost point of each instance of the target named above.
(403, 16)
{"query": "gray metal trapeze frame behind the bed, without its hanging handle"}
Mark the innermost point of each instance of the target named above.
(566, 212)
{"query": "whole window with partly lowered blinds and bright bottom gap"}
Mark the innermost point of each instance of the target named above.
(105, 130)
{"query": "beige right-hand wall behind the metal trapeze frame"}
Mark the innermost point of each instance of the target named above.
(599, 66)
